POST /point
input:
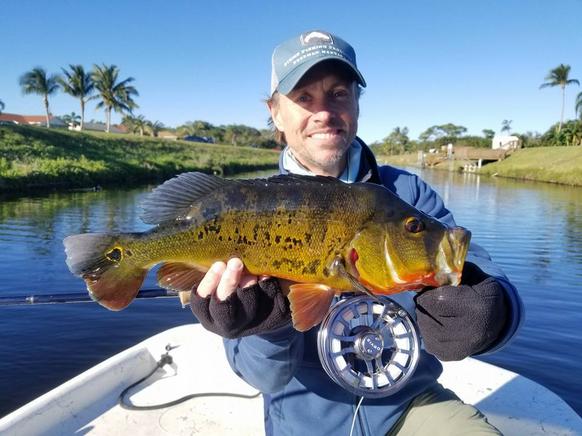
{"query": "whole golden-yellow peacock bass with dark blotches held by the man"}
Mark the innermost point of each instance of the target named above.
(327, 236)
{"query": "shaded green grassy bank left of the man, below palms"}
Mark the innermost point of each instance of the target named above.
(33, 158)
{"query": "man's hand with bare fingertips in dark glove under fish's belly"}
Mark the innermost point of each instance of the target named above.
(233, 303)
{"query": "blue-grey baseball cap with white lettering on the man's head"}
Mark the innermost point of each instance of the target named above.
(294, 57)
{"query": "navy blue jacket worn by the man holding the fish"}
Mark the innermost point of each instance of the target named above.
(300, 399)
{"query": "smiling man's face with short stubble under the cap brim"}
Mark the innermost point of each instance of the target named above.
(319, 118)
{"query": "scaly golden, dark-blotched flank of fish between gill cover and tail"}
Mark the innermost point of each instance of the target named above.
(274, 229)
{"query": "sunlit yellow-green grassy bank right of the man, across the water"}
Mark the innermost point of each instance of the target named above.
(544, 164)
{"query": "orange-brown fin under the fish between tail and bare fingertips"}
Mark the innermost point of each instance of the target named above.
(180, 277)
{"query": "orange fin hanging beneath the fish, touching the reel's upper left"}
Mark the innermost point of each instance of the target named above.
(309, 303)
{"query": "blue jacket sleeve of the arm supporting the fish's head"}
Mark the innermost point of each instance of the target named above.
(418, 193)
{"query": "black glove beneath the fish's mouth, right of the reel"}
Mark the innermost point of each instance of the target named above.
(459, 321)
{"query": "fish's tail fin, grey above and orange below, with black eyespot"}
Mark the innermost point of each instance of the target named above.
(102, 260)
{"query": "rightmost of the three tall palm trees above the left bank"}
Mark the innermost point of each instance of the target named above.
(117, 96)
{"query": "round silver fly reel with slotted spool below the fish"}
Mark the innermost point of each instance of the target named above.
(368, 346)
